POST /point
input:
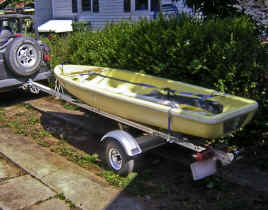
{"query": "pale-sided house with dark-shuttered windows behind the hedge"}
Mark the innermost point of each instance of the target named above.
(97, 12)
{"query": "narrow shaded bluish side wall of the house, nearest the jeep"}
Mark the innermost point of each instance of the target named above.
(43, 10)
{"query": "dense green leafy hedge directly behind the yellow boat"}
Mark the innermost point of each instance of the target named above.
(224, 54)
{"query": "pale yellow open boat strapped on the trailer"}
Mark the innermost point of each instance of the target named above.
(157, 102)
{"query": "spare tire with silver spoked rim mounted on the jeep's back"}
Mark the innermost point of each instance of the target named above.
(23, 56)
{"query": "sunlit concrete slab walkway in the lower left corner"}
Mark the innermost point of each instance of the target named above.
(49, 175)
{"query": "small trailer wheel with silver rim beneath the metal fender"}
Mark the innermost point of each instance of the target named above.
(117, 159)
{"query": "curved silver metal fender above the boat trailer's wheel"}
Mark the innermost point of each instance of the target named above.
(127, 141)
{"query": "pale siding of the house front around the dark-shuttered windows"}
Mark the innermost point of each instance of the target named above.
(109, 11)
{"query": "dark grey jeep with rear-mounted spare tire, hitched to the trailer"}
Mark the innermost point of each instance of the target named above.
(22, 57)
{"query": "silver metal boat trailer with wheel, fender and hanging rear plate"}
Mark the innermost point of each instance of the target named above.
(122, 148)
